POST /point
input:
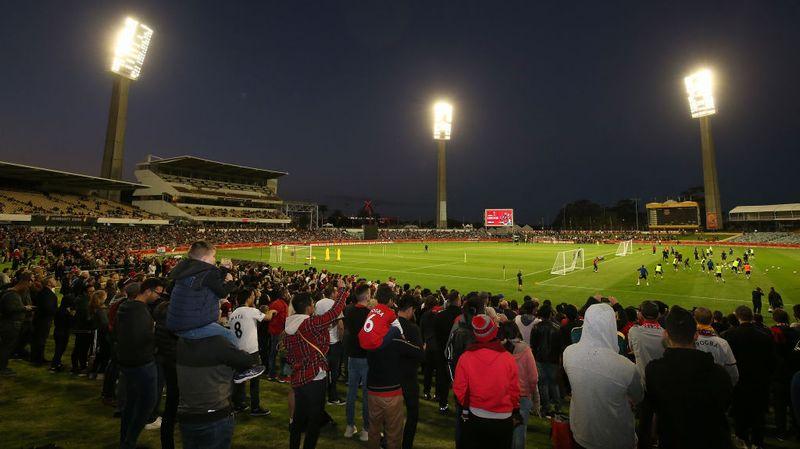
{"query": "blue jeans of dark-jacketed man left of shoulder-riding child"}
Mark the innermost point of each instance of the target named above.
(140, 399)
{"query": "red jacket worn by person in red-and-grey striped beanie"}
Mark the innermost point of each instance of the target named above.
(487, 378)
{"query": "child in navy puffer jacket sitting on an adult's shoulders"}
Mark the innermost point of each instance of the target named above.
(199, 285)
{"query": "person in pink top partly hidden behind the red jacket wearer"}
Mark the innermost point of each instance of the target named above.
(528, 379)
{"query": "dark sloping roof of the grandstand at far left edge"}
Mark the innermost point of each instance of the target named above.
(27, 174)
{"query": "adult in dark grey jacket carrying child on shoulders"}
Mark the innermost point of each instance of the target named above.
(205, 368)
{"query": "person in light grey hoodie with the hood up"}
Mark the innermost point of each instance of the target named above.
(604, 384)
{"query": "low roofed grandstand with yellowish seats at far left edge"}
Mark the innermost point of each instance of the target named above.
(43, 196)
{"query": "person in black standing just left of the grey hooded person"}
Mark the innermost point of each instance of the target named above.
(546, 345)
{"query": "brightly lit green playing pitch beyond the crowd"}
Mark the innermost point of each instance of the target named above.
(444, 264)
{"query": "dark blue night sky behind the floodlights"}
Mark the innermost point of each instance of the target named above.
(554, 101)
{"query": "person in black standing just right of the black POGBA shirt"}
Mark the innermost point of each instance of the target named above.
(755, 359)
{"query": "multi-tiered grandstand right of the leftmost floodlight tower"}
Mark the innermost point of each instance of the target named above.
(199, 189)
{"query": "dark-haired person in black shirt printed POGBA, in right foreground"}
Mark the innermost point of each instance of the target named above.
(688, 392)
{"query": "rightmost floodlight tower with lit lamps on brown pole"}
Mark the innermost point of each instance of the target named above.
(700, 89)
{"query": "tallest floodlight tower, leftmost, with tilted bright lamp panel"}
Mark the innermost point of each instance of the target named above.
(130, 49)
